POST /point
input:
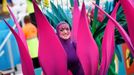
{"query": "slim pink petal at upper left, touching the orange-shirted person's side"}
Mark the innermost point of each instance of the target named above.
(21, 34)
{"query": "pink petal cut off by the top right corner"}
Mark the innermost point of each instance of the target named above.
(128, 7)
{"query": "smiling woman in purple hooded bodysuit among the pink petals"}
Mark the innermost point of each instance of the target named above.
(64, 34)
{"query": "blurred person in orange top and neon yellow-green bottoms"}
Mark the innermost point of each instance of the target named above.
(30, 32)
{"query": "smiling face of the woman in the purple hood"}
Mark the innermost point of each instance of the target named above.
(64, 31)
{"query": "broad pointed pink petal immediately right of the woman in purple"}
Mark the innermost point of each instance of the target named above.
(87, 49)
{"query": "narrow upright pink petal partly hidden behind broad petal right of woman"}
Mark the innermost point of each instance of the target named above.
(76, 15)
